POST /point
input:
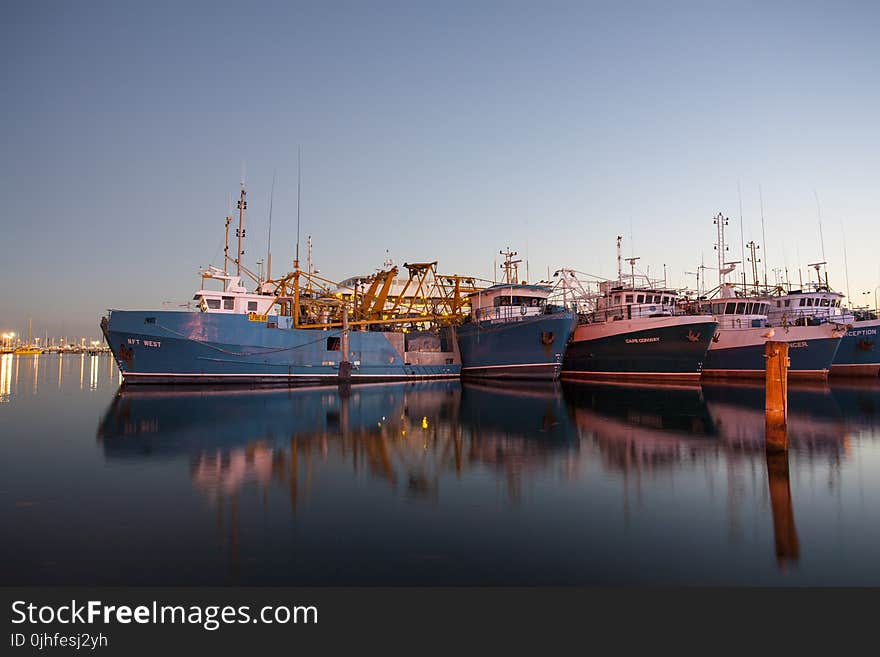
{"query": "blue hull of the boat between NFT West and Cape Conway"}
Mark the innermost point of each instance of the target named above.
(528, 349)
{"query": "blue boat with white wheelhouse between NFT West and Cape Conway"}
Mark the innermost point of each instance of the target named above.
(513, 331)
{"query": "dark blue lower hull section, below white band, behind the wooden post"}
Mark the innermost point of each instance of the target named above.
(809, 358)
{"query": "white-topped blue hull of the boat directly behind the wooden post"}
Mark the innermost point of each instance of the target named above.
(739, 353)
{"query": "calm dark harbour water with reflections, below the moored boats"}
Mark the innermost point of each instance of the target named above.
(436, 483)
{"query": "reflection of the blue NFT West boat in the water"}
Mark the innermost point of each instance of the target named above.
(269, 436)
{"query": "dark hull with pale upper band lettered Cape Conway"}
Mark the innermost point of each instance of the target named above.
(648, 349)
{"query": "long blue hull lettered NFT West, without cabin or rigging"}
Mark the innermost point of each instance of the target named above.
(194, 347)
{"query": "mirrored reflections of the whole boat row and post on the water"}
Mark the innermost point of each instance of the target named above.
(414, 437)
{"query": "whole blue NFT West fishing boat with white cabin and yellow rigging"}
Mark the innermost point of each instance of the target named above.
(299, 329)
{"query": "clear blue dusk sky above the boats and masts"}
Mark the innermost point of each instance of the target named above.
(436, 130)
